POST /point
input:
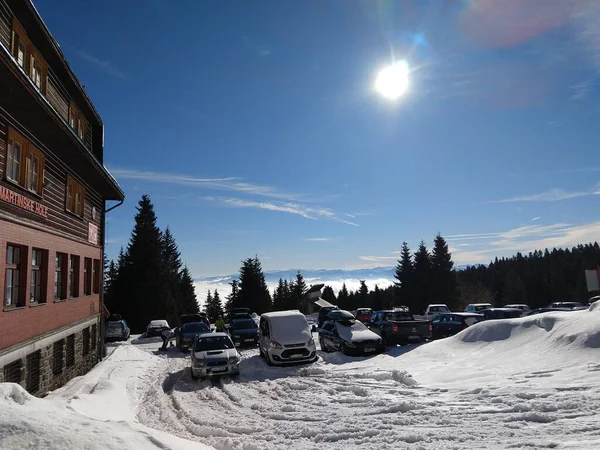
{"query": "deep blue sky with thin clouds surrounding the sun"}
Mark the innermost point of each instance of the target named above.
(255, 127)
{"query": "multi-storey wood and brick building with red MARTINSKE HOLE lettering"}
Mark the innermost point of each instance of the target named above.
(53, 191)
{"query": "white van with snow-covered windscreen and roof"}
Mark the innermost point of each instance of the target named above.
(285, 336)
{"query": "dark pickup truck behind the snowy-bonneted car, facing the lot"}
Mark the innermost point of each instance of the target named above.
(399, 327)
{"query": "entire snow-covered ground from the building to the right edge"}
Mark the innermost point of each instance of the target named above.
(522, 383)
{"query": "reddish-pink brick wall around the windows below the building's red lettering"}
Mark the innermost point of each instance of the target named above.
(21, 324)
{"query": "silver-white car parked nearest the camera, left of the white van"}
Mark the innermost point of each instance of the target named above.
(214, 354)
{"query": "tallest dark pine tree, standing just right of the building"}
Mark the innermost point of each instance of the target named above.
(141, 290)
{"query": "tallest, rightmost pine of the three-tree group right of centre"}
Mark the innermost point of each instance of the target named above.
(443, 285)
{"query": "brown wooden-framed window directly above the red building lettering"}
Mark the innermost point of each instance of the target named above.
(24, 163)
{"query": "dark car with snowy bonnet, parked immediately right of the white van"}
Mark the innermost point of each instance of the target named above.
(348, 335)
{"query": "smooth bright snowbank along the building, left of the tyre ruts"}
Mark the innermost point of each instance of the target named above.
(97, 411)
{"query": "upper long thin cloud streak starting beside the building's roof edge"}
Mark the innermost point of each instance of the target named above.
(227, 183)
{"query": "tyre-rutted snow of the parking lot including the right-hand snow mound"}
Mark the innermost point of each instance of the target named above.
(481, 391)
